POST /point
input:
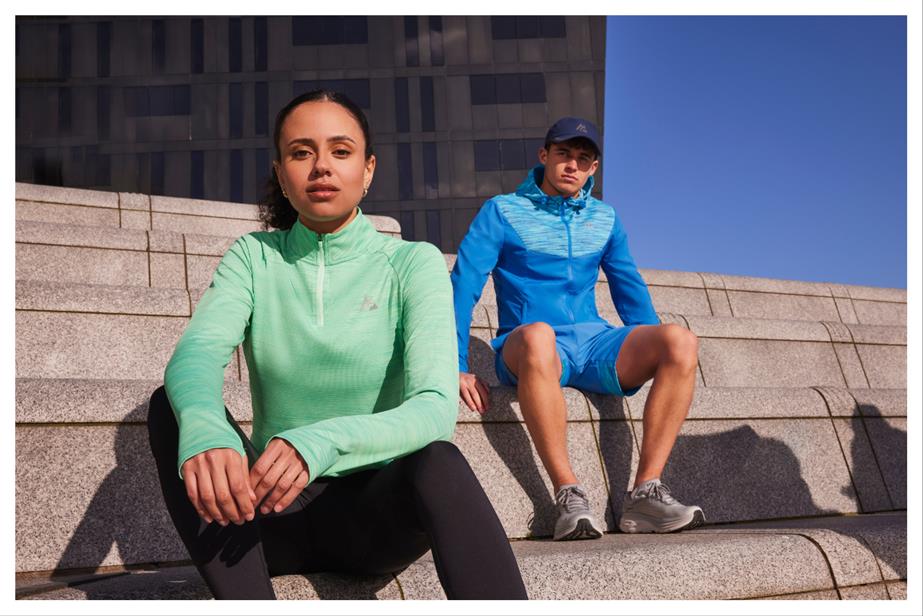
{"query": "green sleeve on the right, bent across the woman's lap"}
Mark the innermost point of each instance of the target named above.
(430, 403)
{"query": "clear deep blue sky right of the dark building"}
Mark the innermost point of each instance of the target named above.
(760, 146)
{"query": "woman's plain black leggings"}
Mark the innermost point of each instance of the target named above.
(371, 522)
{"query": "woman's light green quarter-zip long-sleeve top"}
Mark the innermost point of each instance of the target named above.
(350, 344)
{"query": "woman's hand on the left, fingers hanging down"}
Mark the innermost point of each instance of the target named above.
(217, 486)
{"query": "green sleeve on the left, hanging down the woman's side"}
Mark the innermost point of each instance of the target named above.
(194, 377)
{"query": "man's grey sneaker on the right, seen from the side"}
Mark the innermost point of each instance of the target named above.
(650, 508)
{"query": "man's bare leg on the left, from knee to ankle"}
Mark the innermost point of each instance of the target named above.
(530, 354)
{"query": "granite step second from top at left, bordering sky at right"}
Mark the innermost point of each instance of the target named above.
(115, 256)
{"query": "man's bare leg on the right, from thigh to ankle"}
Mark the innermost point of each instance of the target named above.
(669, 355)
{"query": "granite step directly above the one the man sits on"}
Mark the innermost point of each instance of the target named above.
(74, 330)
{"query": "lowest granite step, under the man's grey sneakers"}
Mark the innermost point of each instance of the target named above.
(861, 557)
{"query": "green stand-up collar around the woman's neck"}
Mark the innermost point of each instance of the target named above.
(357, 238)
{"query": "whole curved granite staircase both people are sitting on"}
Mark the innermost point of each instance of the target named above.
(795, 445)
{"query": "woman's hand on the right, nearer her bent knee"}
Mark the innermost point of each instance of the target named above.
(279, 472)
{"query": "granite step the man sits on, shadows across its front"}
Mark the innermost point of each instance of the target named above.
(831, 451)
